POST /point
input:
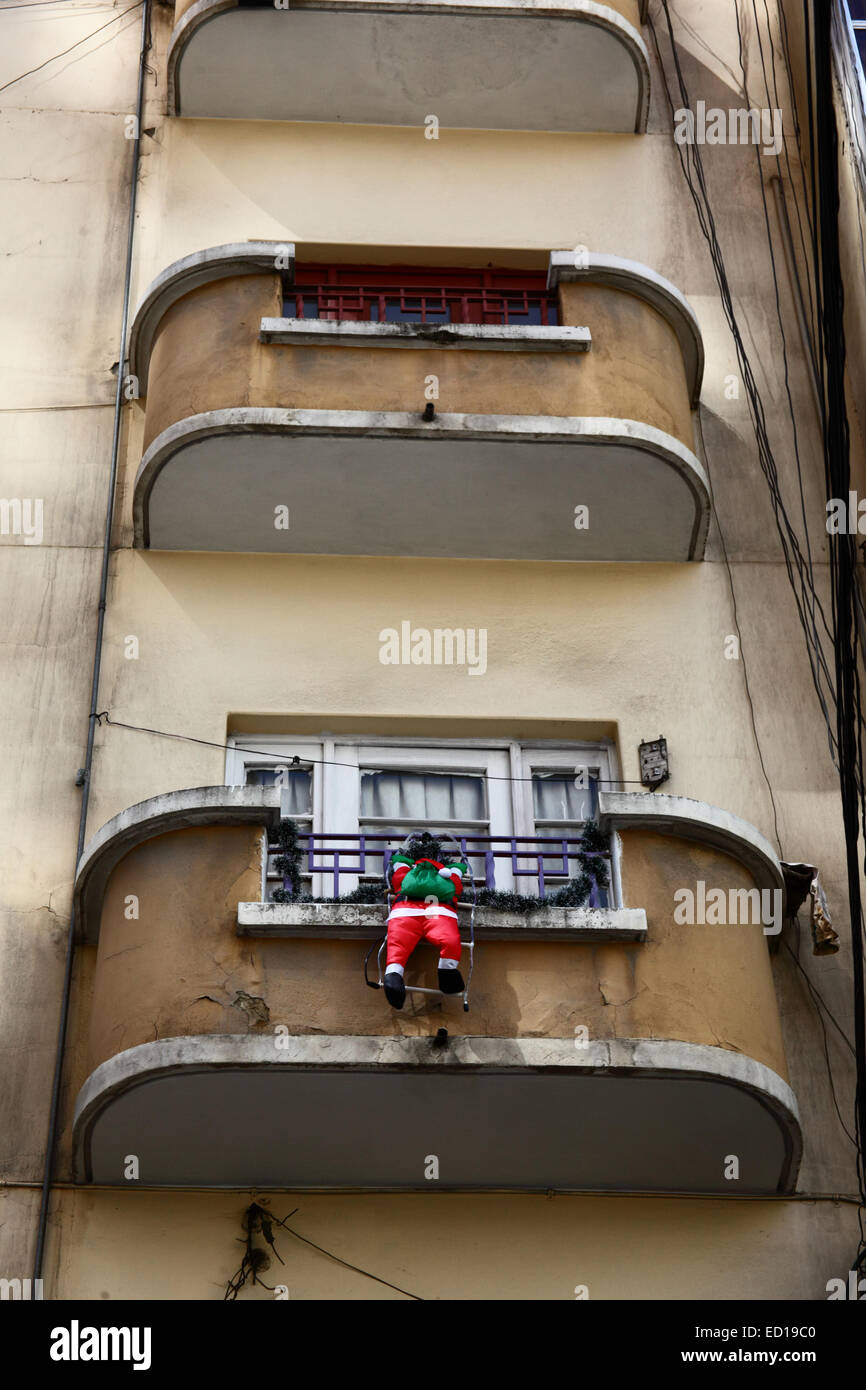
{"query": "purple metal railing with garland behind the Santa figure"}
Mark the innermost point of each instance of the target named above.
(323, 854)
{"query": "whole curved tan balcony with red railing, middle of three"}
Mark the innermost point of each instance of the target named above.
(557, 408)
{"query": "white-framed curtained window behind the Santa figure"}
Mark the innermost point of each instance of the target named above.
(516, 810)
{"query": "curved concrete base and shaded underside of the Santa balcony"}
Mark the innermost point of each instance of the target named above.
(316, 1113)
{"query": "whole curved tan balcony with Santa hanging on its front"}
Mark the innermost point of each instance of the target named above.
(233, 1042)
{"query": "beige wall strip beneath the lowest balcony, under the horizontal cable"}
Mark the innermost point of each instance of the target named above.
(462, 1248)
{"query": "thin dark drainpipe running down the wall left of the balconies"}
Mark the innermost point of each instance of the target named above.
(98, 655)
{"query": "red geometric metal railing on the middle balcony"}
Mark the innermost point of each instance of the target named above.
(422, 305)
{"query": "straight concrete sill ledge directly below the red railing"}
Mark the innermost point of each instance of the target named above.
(319, 333)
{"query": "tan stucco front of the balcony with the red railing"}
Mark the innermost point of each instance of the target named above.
(208, 357)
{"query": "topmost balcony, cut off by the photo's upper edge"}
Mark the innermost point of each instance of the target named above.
(484, 65)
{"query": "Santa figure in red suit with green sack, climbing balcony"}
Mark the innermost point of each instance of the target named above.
(425, 910)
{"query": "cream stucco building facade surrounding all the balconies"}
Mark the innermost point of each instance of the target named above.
(230, 640)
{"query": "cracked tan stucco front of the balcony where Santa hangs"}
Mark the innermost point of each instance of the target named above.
(179, 968)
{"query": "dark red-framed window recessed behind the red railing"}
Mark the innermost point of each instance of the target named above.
(414, 295)
